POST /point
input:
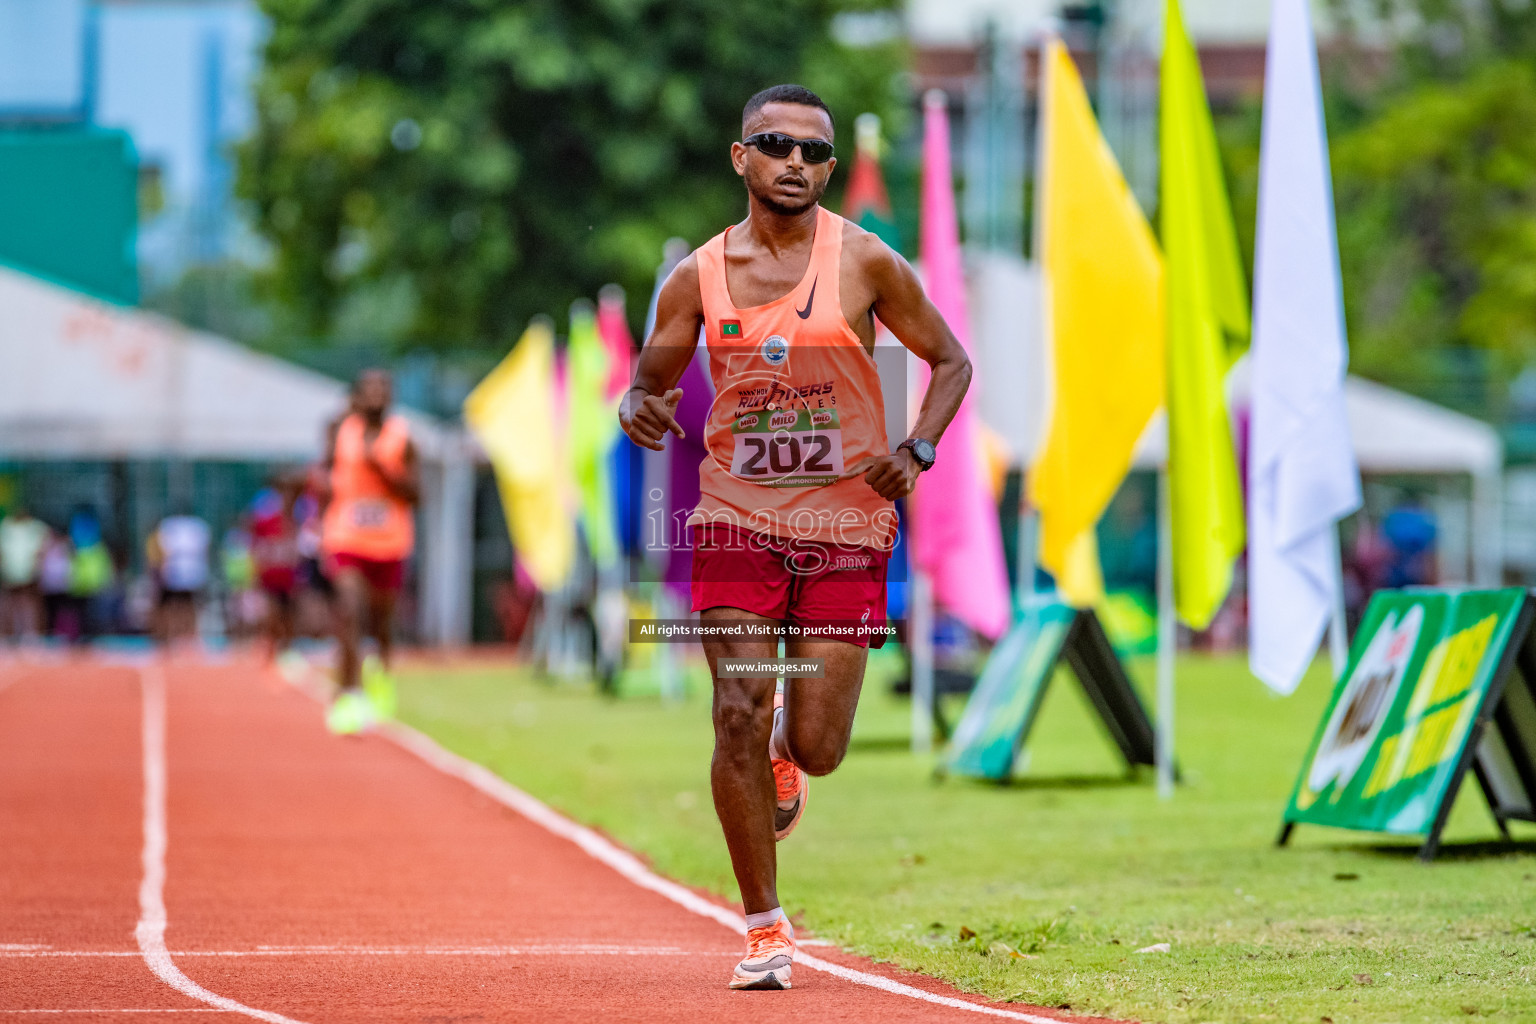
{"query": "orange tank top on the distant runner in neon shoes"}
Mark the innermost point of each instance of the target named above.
(365, 517)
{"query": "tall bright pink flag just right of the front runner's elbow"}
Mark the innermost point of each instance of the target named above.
(955, 524)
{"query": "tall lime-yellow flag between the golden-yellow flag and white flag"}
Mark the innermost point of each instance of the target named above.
(1207, 303)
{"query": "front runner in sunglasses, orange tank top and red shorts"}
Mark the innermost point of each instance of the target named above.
(796, 521)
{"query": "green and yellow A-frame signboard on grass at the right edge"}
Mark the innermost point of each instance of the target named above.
(1428, 673)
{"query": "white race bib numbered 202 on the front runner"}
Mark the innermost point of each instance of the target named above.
(789, 448)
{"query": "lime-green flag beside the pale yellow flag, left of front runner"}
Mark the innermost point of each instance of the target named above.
(594, 424)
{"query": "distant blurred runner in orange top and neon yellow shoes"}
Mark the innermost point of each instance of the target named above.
(368, 533)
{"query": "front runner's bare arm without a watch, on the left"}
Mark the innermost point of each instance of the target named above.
(649, 408)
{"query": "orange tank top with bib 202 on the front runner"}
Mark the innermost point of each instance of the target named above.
(798, 401)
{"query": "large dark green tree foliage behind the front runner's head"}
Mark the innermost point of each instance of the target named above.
(455, 167)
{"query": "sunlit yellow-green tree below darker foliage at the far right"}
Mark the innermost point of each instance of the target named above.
(1440, 216)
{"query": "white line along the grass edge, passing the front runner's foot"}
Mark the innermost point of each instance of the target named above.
(627, 865)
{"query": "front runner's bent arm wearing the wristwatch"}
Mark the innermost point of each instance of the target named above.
(905, 309)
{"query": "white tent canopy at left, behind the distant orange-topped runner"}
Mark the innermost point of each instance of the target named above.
(87, 380)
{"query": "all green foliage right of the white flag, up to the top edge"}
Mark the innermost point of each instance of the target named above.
(1435, 174)
